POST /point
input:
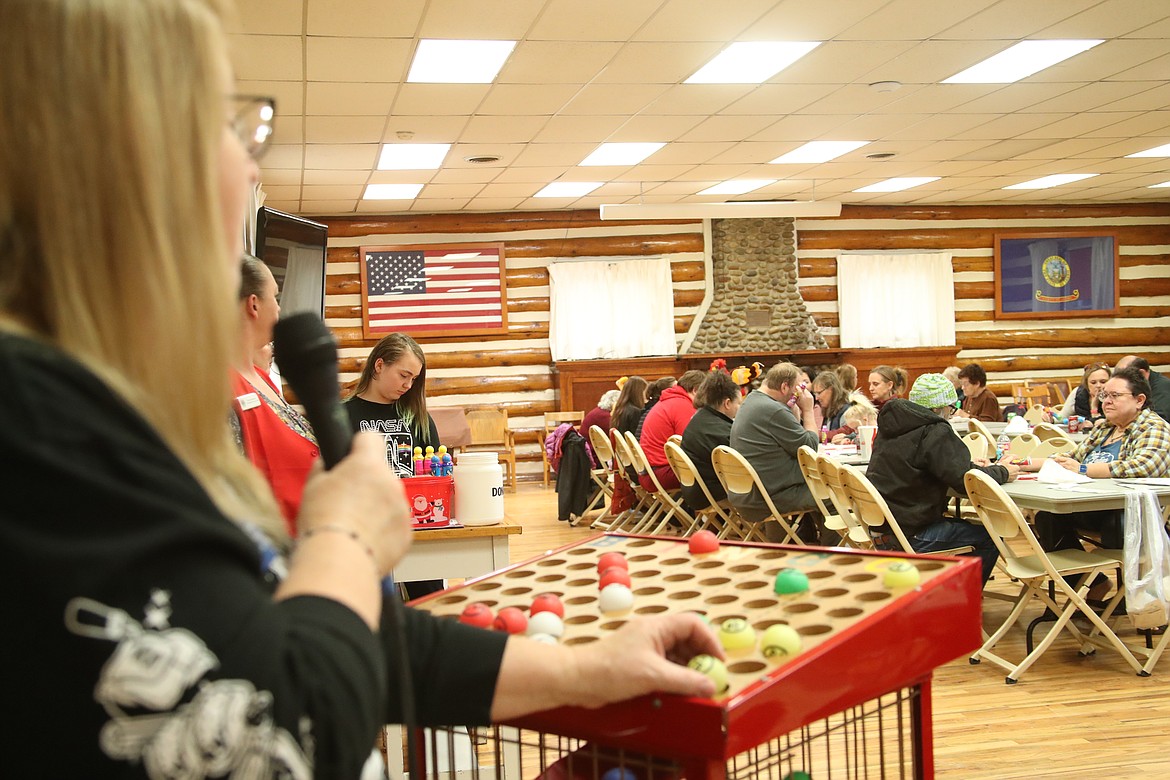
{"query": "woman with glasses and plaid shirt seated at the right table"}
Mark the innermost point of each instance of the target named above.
(1132, 443)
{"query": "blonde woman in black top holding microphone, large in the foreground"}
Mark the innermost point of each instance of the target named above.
(129, 516)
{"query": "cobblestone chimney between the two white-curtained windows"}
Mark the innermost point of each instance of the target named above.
(758, 306)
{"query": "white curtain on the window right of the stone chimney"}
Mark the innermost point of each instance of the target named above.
(894, 300)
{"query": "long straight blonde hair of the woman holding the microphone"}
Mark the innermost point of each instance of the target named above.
(112, 233)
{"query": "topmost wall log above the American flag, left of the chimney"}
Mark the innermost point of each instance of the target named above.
(478, 223)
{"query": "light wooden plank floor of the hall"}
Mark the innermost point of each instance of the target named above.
(1069, 717)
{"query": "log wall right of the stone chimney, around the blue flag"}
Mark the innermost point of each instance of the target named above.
(1010, 350)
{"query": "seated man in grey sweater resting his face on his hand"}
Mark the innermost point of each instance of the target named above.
(768, 432)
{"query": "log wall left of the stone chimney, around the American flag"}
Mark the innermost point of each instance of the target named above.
(513, 371)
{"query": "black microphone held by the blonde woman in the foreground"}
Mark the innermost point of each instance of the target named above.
(306, 353)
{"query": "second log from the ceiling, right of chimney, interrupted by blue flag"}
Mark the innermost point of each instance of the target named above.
(920, 238)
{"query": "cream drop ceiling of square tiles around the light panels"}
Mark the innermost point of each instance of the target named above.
(586, 73)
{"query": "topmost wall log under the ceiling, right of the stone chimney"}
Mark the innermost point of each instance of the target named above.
(1003, 212)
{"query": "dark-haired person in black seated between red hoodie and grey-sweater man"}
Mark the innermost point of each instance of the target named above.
(719, 401)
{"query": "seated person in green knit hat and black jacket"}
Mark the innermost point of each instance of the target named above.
(917, 460)
